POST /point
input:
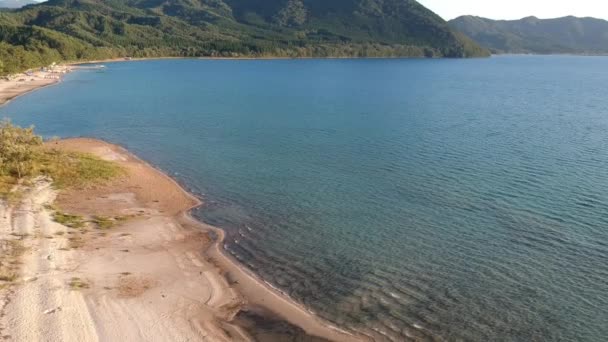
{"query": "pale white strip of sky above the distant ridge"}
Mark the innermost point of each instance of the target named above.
(517, 9)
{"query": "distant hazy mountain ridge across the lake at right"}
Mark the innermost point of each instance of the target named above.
(533, 35)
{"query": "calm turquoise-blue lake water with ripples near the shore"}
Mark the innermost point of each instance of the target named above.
(422, 199)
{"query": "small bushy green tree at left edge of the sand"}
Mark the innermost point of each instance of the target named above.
(18, 148)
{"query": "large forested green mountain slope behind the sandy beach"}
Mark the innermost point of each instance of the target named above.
(86, 29)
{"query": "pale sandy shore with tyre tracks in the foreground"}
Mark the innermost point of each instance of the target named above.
(155, 274)
